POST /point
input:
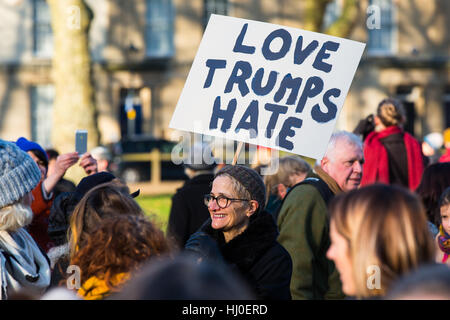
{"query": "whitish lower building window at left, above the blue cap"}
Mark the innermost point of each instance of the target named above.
(42, 114)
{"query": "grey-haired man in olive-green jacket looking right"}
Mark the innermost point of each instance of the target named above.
(303, 218)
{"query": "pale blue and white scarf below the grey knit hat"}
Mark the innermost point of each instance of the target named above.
(22, 264)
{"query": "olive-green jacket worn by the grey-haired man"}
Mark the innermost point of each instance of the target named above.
(291, 224)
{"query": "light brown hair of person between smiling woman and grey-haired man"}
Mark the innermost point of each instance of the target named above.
(288, 166)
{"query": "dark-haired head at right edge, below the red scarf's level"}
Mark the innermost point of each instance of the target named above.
(435, 178)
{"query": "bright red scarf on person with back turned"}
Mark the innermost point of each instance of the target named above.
(376, 165)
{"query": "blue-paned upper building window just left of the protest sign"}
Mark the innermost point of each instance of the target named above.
(159, 29)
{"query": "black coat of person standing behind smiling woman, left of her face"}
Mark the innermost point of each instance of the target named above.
(188, 211)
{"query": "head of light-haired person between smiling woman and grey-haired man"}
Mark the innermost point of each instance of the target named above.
(291, 170)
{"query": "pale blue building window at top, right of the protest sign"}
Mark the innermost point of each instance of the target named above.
(381, 27)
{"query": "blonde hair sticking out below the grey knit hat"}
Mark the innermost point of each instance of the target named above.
(15, 216)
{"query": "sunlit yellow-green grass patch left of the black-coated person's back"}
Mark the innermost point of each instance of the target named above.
(157, 208)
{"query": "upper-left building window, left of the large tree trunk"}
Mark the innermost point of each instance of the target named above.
(42, 30)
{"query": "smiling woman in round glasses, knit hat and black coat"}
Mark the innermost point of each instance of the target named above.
(241, 233)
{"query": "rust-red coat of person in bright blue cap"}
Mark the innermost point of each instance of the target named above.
(38, 228)
